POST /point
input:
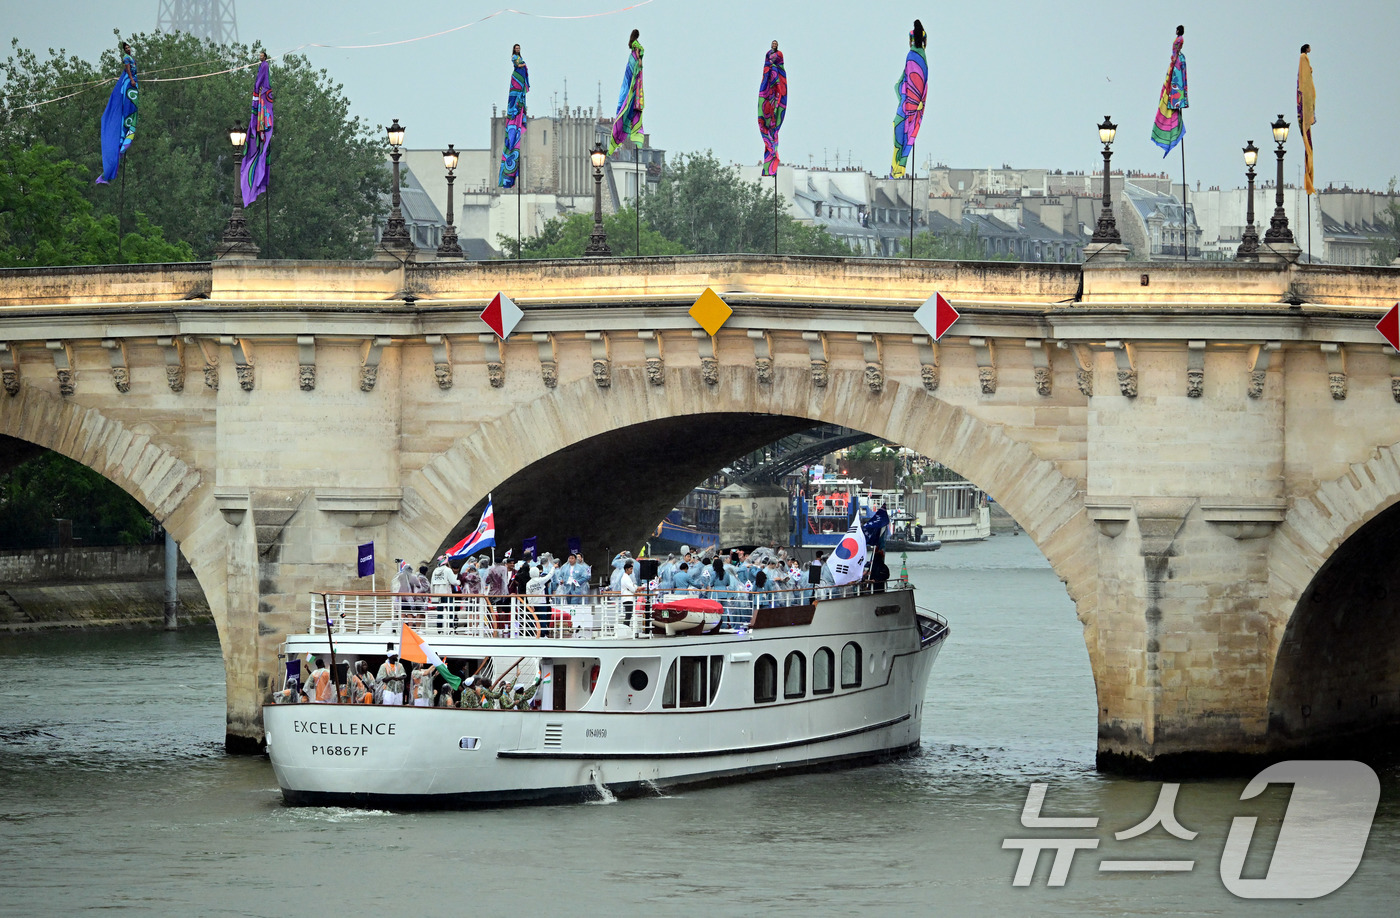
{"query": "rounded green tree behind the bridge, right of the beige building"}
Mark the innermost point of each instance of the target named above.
(709, 209)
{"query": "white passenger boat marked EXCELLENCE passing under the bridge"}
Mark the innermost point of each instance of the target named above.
(790, 682)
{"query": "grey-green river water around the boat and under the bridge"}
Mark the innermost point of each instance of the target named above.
(115, 794)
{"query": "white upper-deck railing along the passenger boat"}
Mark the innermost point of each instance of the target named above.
(593, 616)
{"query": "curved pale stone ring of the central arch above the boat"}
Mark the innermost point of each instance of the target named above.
(1046, 503)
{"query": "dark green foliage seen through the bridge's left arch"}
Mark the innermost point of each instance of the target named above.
(51, 488)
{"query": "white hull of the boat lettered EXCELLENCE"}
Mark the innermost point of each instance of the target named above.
(405, 758)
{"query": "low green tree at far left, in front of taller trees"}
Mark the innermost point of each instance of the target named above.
(45, 220)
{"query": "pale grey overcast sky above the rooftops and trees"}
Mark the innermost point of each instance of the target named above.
(1016, 82)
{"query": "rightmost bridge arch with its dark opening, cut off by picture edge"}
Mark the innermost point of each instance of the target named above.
(1335, 609)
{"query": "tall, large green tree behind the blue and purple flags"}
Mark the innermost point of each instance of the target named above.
(327, 167)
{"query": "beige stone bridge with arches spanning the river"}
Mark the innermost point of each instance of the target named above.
(1207, 456)
